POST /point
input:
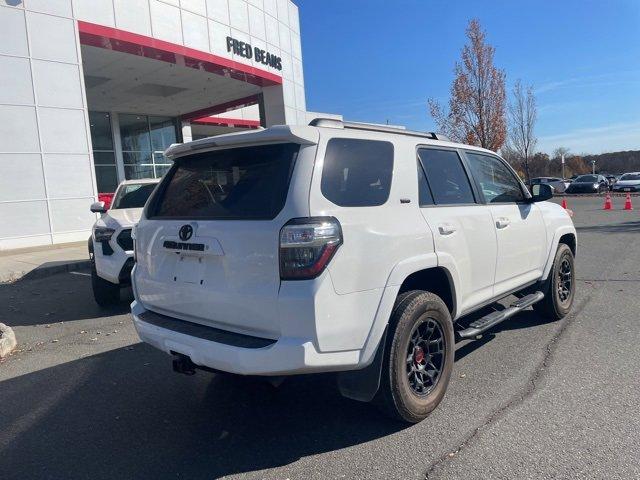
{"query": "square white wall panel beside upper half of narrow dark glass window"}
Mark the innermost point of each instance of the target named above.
(62, 131)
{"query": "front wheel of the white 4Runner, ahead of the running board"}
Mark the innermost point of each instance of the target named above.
(557, 302)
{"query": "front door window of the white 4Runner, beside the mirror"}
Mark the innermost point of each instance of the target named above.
(498, 183)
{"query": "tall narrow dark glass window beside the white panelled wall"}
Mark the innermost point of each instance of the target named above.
(103, 154)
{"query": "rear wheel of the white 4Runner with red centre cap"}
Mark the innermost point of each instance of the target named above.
(407, 393)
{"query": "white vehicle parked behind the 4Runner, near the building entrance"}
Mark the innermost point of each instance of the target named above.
(110, 245)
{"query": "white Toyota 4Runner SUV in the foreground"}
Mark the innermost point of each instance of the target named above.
(343, 247)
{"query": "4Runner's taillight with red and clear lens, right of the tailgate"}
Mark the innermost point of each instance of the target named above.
(307, 245)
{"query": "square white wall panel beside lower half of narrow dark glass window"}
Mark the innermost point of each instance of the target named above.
(68, 175)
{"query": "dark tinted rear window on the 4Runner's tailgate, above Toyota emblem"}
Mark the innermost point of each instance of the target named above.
(238, 183)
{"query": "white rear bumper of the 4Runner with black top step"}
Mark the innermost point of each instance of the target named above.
(285, 356)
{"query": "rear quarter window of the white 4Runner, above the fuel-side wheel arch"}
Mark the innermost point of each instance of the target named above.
(357, 173)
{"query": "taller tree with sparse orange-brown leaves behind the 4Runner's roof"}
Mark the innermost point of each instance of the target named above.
(476, 113)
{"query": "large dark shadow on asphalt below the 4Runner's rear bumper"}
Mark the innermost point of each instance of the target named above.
(125, 414)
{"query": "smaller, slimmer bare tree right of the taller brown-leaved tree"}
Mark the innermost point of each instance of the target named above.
(522, 118)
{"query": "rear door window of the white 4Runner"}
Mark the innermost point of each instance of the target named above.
(446, 177)
